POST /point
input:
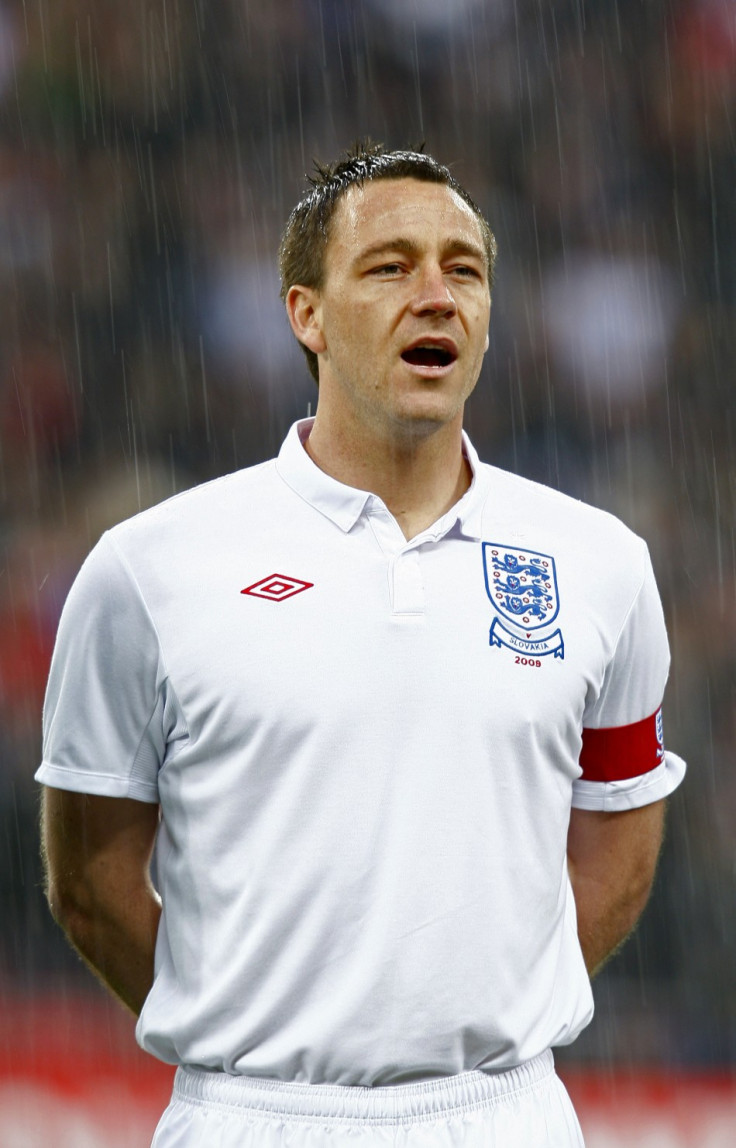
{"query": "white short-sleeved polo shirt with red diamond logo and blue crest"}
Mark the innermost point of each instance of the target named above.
(366, 753)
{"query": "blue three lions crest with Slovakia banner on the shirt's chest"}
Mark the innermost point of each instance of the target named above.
(523, 588)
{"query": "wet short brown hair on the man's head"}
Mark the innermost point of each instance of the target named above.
(307, 232)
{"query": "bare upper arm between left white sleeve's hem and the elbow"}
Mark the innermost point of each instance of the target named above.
(95, 848)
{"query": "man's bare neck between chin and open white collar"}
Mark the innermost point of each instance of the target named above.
(419, 478)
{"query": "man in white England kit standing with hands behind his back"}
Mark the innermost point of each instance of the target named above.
(396, 707)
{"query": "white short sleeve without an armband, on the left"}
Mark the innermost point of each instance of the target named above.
(110, 713)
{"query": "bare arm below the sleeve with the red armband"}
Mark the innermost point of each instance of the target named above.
(611, 860)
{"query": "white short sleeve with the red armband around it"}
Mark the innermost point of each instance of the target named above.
(624, 759)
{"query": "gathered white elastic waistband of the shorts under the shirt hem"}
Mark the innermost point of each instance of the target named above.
(393, 1105)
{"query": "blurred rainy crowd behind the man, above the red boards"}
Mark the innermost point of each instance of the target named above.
(150, 154)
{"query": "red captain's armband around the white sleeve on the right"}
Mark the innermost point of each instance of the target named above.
(621, 753)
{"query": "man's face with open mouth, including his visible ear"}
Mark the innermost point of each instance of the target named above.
(401, 322)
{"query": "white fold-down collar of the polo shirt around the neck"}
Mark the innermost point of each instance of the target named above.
(344, 506)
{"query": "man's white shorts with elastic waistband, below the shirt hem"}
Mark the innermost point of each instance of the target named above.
(524, 1108)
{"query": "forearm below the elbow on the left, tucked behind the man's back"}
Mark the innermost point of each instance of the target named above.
(117, 941)
